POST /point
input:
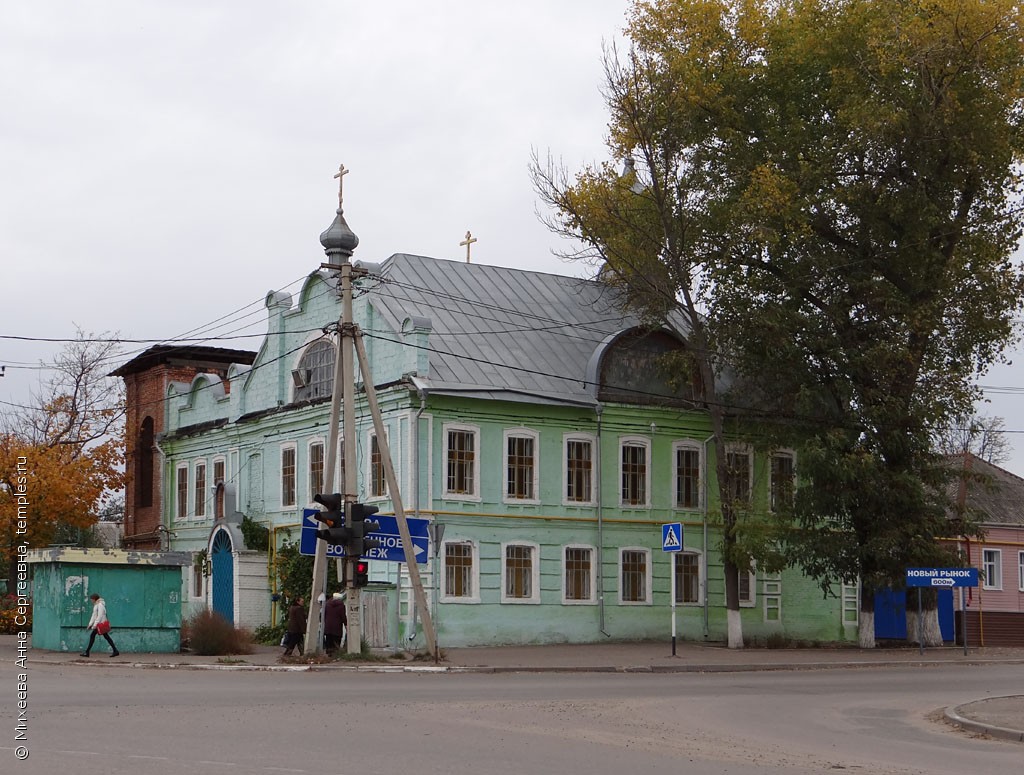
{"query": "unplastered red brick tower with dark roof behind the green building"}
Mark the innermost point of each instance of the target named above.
(147, 379)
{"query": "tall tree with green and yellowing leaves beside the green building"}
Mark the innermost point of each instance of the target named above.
(830, 191)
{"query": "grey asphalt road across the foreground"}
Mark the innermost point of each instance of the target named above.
(91, 720)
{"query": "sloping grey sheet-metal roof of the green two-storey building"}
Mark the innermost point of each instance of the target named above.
(498, 332)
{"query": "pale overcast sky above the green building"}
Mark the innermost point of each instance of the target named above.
(164, 164)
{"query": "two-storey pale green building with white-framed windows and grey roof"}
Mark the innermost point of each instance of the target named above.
(526, 414)
